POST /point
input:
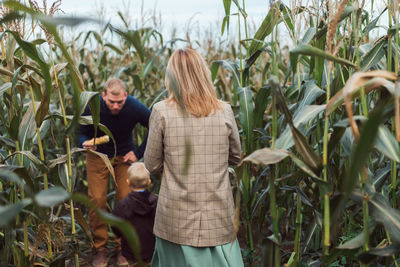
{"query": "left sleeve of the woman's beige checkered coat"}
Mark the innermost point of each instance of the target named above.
(154, 153)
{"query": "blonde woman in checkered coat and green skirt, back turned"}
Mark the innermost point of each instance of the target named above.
(192, 138)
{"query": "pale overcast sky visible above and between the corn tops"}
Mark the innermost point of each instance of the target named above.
(181, 15)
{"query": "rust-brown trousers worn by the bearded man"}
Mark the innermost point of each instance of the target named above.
(98, 176)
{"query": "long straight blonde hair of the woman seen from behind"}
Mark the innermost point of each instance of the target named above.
(189, 84)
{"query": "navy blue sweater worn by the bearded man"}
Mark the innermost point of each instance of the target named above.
(120, 125)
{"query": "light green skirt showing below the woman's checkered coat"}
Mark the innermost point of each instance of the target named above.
(171, 254)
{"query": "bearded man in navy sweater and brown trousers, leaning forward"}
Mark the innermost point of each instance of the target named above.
(119, 112)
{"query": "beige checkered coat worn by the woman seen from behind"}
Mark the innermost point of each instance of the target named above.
(195, 205)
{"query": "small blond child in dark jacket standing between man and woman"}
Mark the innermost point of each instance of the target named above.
(138, 208)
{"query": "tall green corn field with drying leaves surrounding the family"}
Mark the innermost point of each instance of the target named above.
(319, 120)
